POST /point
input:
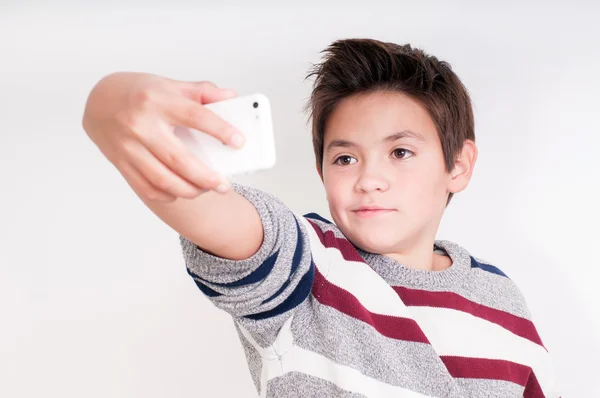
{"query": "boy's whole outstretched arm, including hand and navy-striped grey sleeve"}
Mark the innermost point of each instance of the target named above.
(244, 249)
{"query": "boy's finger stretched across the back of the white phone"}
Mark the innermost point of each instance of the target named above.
(184, 112)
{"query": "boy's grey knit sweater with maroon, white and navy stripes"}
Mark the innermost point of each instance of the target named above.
(319, 317)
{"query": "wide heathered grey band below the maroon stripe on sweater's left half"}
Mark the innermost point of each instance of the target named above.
(347, 341)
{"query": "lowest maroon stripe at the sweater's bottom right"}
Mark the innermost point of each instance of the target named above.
(495, 369)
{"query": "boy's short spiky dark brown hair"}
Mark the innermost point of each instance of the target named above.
(359, 66)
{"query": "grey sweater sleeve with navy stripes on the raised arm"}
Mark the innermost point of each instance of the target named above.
(272, 282)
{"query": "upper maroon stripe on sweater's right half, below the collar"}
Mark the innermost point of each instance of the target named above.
(423, 298)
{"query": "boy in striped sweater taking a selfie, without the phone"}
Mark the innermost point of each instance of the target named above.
(368, 304)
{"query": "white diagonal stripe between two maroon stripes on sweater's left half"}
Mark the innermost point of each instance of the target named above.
(358, 278)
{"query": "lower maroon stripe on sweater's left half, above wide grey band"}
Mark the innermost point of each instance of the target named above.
(390, 326)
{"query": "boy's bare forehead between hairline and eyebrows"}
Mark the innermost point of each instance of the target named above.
(375, 117)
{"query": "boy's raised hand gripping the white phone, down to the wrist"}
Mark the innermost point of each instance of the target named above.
(131, 118)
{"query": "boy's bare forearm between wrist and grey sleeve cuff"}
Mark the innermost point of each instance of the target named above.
(226, 225)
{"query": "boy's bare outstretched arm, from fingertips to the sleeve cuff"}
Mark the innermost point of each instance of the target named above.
(131, 117)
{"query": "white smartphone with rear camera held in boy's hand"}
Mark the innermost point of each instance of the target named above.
(251, 115)
